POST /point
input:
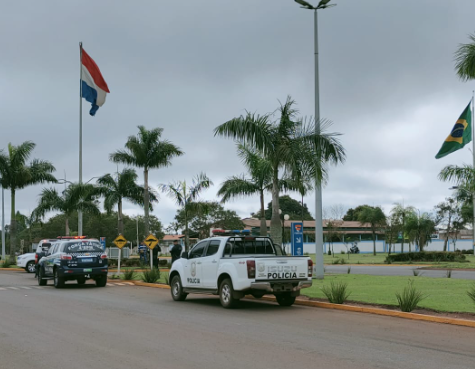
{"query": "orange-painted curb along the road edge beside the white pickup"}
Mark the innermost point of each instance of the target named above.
(356, 309)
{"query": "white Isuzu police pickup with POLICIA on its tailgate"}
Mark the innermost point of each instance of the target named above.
(233, 264)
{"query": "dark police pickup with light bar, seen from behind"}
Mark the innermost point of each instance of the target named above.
(78, 259)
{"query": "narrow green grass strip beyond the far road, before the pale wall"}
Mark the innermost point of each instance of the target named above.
(380, 257)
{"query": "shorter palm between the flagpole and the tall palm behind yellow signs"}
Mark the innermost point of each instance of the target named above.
(124, 186)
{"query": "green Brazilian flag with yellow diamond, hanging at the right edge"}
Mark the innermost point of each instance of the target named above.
(460, 136)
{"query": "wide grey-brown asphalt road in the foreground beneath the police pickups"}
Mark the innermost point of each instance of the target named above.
(139, 327)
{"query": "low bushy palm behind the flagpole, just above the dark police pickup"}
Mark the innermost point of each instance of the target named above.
(77, 196)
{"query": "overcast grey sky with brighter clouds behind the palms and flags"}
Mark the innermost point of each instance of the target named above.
(387, 82)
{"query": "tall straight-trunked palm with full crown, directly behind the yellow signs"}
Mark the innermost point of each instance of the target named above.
(147, 150)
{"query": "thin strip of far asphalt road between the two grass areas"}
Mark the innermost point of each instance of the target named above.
(390, 270)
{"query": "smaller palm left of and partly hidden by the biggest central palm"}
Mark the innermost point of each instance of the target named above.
(260, 171)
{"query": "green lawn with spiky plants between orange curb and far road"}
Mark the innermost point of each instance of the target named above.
(443, 294)
